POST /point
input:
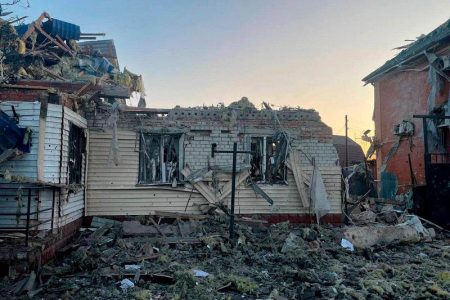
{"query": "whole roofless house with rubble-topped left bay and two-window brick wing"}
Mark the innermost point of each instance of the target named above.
(71, 148)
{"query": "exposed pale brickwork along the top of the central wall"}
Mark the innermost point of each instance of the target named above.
(204, 126)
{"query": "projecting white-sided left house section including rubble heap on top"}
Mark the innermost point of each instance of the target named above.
(47, 80)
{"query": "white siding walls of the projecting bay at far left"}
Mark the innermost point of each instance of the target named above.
(67, 207)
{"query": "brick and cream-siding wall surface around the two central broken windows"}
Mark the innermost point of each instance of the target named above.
(113, 190)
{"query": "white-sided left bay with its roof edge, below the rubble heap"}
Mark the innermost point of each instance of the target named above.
(50, 166)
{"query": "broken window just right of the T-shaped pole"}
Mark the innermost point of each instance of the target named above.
(265, 163)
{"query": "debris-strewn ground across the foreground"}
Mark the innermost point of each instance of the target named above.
(194, 260)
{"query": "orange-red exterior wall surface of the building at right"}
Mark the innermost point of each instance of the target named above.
(398, 97)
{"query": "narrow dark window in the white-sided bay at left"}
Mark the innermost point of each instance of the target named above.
(77, 144)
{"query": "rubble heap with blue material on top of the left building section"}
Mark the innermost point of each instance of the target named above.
(50, 51)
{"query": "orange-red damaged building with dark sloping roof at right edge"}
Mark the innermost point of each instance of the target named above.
(411, 115)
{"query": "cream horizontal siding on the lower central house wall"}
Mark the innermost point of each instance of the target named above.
(112, 190)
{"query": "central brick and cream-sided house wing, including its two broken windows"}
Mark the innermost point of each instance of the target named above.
(141, 172)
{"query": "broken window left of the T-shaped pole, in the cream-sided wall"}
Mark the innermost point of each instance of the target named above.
(159, 158)
